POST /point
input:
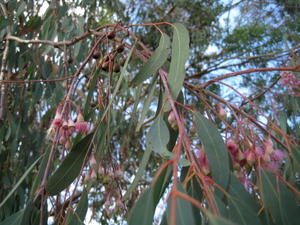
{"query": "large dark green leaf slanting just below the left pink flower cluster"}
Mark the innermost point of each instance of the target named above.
(70, 167)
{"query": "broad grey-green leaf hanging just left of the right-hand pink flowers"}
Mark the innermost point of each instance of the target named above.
(215, 149)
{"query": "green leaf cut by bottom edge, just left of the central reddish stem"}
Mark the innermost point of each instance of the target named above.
(143, 211)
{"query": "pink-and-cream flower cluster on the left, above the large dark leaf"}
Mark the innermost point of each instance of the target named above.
(67, 127)
